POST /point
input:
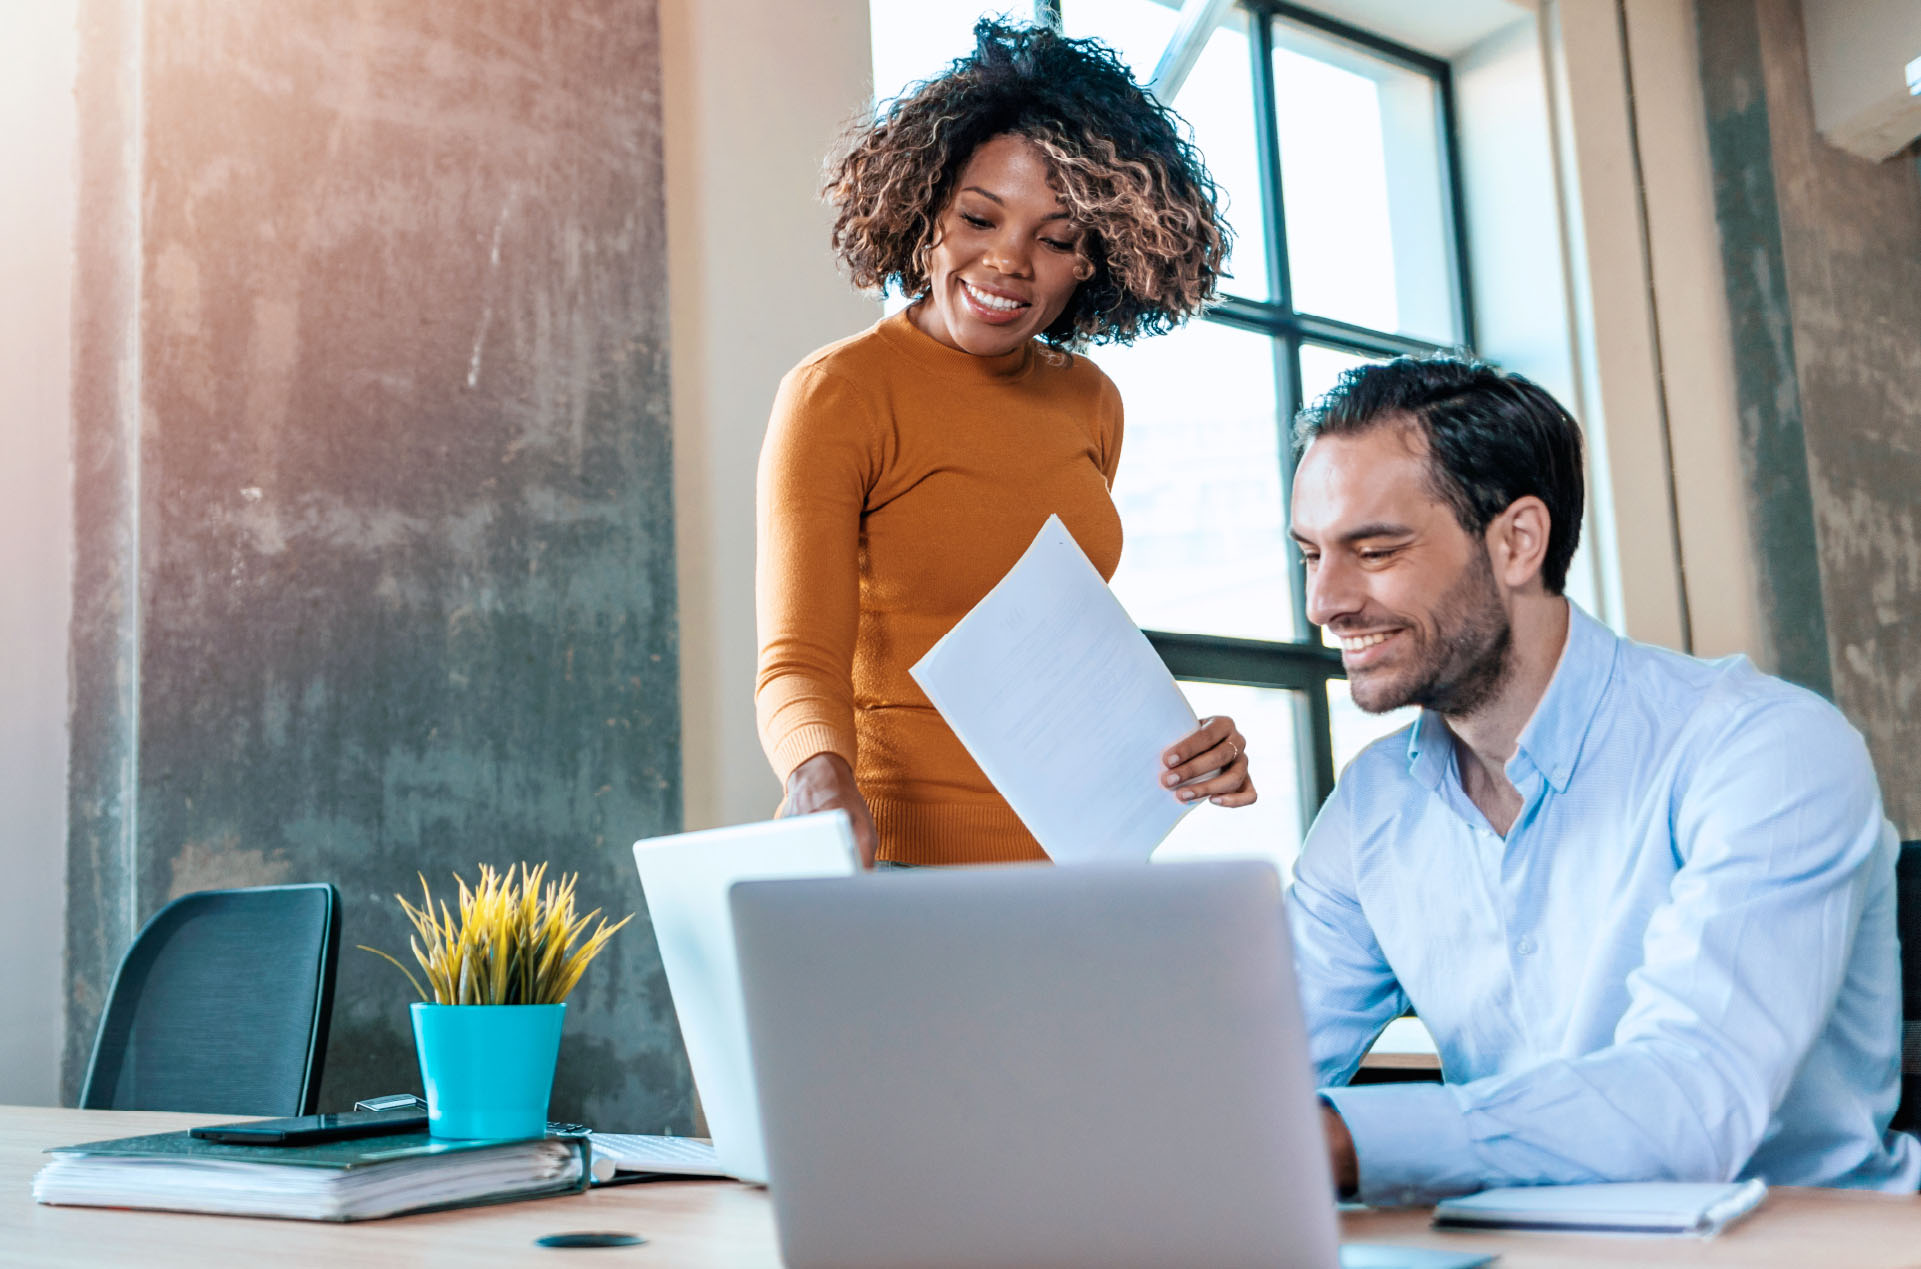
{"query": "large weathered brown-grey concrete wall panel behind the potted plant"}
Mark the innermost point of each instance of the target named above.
(376, 563)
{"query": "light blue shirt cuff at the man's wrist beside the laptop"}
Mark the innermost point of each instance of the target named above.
(1411, 1143)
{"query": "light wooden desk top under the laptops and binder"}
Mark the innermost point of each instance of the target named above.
(723, 1226)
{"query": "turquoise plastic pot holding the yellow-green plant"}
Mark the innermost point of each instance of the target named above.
(489, 1068)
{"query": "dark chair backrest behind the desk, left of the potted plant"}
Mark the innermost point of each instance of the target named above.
(222, 1005)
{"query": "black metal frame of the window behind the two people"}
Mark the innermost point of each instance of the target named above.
(1307, 665)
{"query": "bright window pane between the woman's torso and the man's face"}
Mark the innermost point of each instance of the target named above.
(1200, 487)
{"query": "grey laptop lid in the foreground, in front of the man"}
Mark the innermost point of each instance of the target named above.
(1034, 1066)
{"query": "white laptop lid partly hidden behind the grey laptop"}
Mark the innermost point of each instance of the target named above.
(687, 884)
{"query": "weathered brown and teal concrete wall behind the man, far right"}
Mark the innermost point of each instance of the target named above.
(1824, 266)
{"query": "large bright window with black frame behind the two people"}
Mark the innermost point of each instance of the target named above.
(1334, 151)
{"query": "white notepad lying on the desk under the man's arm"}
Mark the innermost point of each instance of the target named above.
(1624, 1209)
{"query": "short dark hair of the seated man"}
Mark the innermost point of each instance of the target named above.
(1492, 439)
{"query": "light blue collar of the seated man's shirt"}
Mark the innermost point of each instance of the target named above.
(1551, 742)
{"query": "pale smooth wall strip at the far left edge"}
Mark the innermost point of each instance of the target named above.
(36, 533)
